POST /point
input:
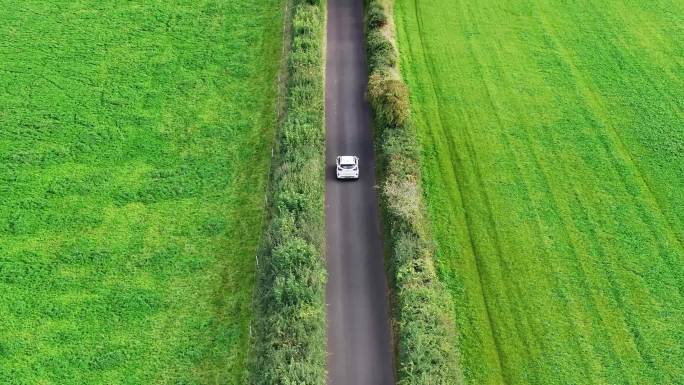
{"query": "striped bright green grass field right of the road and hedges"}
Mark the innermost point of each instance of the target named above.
(553, 160)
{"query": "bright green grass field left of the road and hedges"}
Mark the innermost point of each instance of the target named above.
(135, 140)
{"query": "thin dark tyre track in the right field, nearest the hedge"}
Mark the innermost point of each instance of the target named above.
(456, 161)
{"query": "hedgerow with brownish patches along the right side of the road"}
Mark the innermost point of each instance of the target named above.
(424, 328)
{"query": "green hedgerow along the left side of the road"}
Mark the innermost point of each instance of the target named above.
(289, 322)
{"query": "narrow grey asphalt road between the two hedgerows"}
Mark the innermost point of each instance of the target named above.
(359, 342)
